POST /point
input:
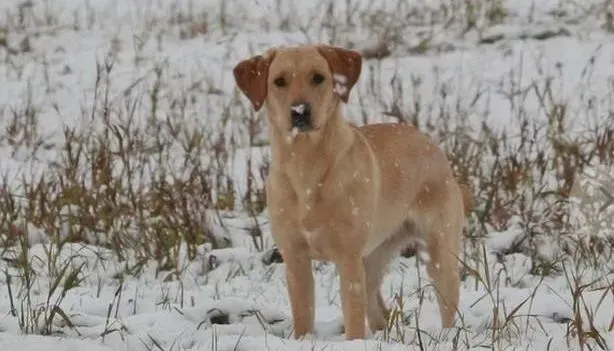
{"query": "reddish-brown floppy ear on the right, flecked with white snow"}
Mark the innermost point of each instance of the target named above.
(345, 65)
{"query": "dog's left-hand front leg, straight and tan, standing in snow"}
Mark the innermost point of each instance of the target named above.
(301, 291)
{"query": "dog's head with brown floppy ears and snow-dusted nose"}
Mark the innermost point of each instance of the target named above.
(300, 86)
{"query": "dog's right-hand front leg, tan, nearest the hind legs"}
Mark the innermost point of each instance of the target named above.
(353, 295)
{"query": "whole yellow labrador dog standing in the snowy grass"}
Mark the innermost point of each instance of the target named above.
(354, 196)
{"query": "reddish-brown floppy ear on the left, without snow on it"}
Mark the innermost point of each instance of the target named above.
(251, 77)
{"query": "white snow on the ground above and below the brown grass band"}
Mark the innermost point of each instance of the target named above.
(230, 299)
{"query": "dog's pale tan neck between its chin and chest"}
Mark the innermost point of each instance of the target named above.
(307, 158)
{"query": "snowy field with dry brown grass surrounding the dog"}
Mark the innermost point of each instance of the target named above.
(132, 212)
